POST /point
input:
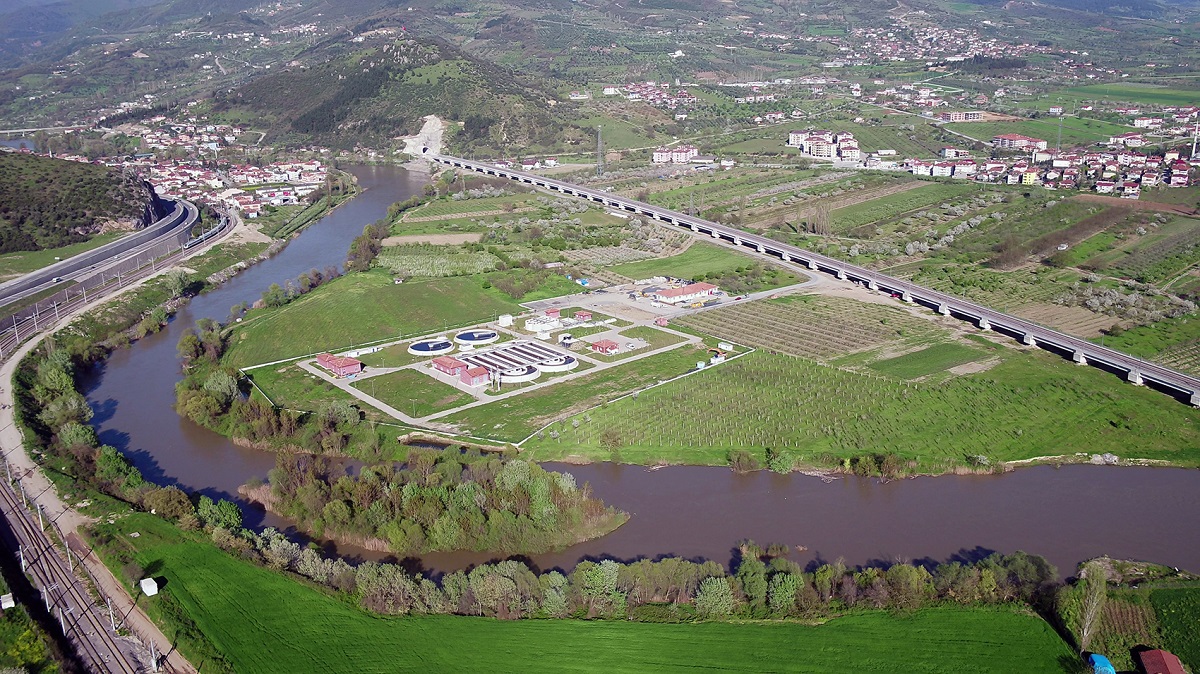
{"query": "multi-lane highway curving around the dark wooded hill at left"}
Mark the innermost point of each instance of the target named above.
(176, 226)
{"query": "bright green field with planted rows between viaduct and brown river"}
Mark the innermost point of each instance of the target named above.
(1030, 405)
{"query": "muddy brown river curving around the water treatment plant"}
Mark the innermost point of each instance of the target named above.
(1067, 515)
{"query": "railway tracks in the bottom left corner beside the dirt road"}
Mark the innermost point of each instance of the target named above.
(67, 597)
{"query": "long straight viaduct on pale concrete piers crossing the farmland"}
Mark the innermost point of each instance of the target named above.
(1133, 370)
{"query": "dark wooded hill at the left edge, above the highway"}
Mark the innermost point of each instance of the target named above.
(49, 203)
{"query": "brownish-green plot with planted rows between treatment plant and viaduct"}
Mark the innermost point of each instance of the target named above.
(815, 328)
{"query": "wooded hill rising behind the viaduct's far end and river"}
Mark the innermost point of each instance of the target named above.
(371, 97)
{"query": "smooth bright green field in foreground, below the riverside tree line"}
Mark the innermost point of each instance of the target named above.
(218, 607)
